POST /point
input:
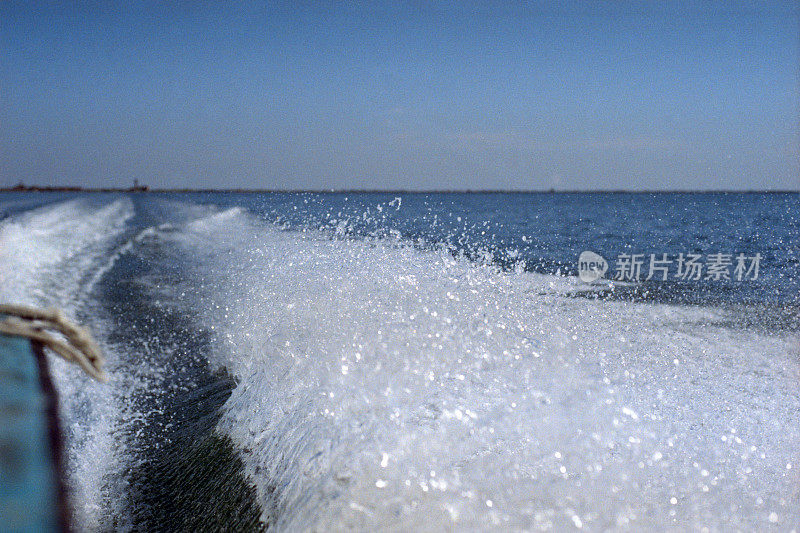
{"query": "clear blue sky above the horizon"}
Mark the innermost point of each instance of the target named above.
(476, 95)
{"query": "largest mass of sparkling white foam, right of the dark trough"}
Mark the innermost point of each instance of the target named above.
(385, 387)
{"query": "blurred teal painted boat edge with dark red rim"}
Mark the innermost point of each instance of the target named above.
(31, 494)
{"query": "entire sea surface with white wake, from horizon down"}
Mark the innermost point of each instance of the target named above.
(420, 361)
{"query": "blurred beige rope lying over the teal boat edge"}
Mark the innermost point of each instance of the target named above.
(78, 346)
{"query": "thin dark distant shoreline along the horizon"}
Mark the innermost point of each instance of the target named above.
(146, 189)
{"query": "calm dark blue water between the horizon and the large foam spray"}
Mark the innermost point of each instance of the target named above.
(546, 232)
